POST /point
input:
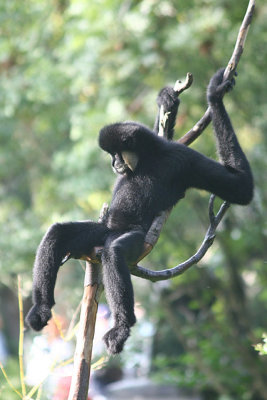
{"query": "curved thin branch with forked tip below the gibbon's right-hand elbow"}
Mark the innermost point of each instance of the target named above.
(155, 276)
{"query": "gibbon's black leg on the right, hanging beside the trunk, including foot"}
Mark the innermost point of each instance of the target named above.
(118, 286)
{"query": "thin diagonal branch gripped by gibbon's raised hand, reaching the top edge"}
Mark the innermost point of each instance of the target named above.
(199, 127)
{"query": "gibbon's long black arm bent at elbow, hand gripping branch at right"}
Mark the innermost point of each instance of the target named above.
(232, 180)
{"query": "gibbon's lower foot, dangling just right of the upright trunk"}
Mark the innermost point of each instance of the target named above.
(115, 338)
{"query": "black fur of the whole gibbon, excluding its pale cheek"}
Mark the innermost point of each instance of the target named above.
(164, 172)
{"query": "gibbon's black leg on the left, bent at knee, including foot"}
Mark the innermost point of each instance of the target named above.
(61, 239)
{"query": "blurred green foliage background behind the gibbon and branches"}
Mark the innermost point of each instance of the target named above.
(69, 67)
